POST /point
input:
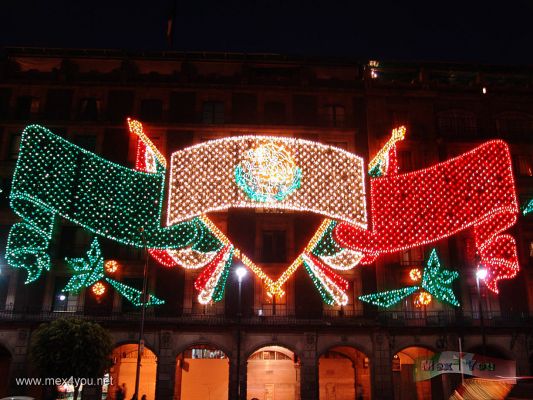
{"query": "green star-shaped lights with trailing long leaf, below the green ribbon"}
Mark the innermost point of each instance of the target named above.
(90, 270)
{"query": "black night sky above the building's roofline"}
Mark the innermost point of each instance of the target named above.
(499, 33)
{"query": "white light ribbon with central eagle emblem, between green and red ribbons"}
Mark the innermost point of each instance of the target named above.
(271, 172)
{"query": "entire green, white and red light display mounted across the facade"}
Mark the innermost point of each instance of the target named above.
(54, 178)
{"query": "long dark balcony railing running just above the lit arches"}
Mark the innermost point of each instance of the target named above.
(444, 318)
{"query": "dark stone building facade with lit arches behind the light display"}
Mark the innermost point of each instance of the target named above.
(187, 98)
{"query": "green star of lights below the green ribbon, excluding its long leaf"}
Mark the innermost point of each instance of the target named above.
(87, 270)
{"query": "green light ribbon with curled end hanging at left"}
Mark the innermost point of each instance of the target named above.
(55, 178)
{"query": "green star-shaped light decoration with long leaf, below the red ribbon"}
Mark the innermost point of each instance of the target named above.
(436, 281)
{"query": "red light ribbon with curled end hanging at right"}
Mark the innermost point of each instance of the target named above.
(475, 190)
